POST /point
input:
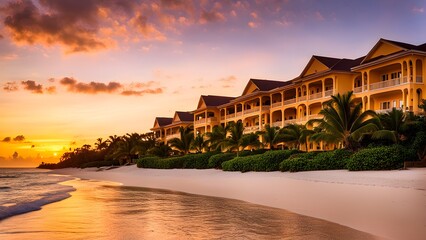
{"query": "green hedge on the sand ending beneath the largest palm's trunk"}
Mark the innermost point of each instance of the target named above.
(312, 161)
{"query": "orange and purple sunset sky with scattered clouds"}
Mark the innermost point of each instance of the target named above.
(72, 71)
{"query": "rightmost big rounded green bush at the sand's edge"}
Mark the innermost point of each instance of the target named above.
(380, 158)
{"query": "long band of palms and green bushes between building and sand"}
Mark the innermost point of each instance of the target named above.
(362, 141)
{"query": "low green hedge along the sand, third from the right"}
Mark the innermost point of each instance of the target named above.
(266, 162)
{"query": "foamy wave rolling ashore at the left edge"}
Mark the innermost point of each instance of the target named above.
(24, 207)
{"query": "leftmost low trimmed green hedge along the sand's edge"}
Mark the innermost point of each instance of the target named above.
(198, 161)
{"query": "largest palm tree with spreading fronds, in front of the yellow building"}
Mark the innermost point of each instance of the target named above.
(344, 121)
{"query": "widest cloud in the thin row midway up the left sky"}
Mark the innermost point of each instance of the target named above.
(89, 88)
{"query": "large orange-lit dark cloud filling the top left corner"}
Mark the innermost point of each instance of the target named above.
(68, 22)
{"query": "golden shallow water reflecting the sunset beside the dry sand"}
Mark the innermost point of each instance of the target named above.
(103, 210)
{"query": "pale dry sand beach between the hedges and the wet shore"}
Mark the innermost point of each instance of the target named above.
(390, 204)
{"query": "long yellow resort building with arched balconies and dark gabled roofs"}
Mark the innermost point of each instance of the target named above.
(390, 75)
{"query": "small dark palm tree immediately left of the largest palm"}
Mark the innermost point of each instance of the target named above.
(296, 135)
